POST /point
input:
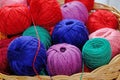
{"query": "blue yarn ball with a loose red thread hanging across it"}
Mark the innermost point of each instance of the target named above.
(22, 52)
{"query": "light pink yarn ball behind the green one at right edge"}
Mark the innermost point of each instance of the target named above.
(113, 36)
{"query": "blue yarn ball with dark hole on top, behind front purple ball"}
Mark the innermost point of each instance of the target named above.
(70, 31)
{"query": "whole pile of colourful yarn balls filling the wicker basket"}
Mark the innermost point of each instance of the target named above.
(42, 37)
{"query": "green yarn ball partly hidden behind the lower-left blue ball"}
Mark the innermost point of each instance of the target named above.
(44, 35)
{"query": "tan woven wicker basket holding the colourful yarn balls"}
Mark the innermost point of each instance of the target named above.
(106, 72)
